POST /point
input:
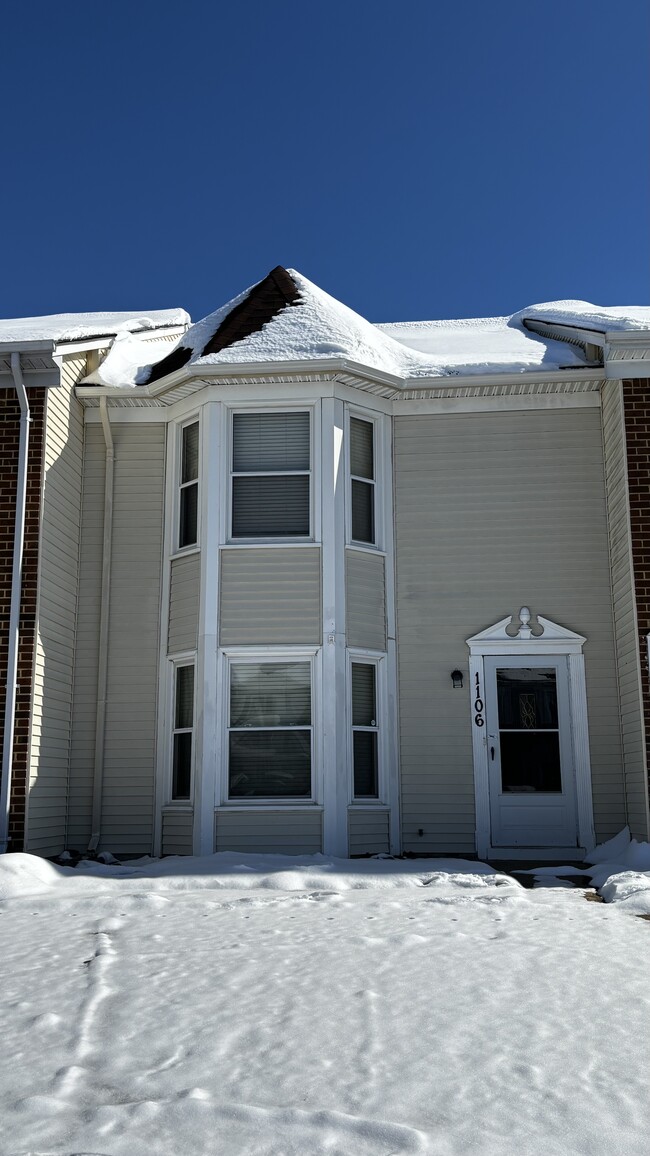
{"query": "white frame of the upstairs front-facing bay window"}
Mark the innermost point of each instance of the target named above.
(313, 475)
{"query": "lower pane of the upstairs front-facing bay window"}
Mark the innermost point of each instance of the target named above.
(271, 507)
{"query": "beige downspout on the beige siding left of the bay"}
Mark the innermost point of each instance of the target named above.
(105, 617)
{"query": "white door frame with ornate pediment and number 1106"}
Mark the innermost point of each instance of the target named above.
(508, 638)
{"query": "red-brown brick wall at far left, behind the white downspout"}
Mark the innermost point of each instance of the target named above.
(10, 433)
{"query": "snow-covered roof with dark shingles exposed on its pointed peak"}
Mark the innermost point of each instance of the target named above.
(287, 318)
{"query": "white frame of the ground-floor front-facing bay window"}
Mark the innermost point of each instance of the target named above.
(238, 656)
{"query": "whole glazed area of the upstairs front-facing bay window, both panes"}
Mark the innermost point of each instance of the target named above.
(271, 475)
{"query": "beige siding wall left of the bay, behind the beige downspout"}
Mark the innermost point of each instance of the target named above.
(134, 639)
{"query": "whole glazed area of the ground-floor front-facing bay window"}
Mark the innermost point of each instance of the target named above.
(270, 742)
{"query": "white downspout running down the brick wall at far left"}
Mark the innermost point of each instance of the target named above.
(16, 605)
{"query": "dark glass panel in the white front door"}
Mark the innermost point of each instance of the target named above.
(529, 730)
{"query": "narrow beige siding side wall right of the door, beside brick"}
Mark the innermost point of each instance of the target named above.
(625, 610)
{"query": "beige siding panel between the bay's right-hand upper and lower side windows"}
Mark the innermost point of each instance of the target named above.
(366, 599)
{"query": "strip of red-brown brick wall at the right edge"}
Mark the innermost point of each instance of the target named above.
(637, 401)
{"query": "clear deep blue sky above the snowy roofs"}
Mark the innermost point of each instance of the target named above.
(417, 159)
